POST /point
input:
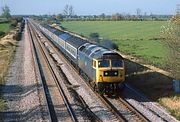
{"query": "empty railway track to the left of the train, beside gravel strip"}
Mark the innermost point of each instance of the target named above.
(47, 73)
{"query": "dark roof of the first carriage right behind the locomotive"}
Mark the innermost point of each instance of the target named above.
(76, 41)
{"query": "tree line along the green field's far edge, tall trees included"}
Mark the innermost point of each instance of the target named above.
(69, 14)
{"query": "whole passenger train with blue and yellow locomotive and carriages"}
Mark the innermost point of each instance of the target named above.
(103, 68)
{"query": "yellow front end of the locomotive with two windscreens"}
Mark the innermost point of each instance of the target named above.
(110, 74)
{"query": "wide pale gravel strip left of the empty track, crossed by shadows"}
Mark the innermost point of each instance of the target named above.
(21, 89)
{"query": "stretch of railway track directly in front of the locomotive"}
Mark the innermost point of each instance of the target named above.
(122, 109)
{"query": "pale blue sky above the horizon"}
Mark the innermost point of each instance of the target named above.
(90, 7)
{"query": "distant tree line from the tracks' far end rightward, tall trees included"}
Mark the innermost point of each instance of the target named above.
(68, 14)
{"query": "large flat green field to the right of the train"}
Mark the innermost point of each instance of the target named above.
(137, 38)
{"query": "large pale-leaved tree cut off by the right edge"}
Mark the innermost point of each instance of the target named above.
(171, 33)
